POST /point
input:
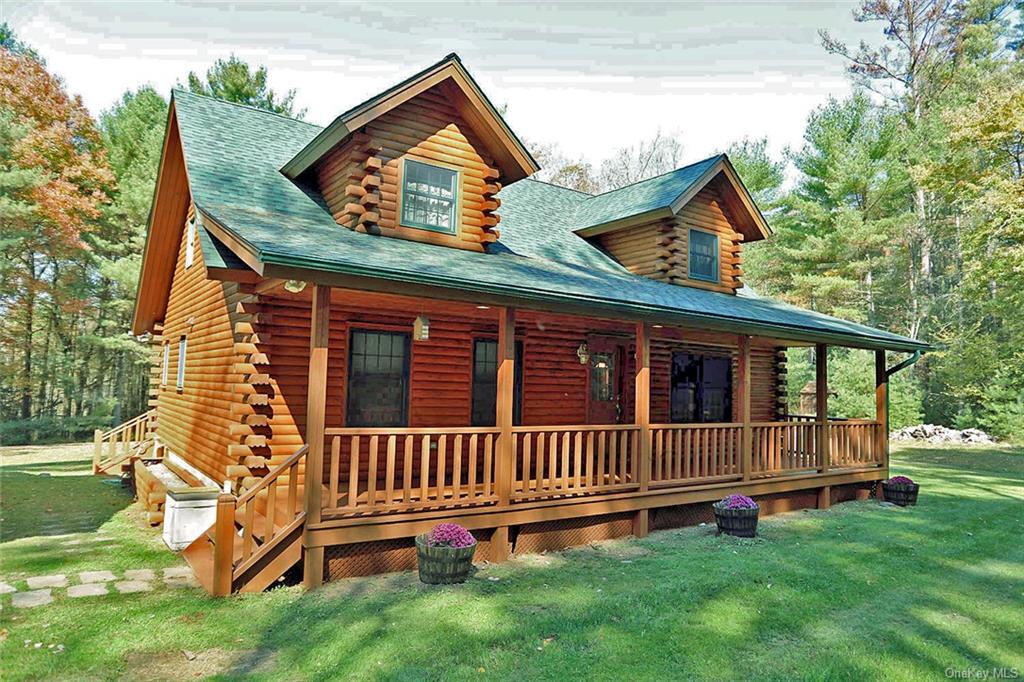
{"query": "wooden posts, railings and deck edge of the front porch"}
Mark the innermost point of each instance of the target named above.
(390, 484)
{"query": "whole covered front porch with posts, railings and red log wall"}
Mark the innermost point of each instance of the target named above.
(391, 483)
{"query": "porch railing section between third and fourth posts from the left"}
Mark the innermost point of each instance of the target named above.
(696, 453)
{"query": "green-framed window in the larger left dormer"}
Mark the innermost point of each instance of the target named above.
(429, 197)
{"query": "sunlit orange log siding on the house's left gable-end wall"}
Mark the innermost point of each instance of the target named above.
(195, 423)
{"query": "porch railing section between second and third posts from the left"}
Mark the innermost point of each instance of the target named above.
(558, 461)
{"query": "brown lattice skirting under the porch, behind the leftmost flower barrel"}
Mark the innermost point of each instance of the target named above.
(385, 557)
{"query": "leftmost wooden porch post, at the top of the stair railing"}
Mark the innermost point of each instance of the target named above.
(320, 333)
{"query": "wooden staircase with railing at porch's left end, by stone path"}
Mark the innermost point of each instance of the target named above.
(258, 537)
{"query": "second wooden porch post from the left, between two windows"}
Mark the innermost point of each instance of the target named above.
(500, 548)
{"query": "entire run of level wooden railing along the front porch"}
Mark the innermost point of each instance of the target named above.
(389, 471)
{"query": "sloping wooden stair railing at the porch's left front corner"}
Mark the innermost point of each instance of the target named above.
(251, 527)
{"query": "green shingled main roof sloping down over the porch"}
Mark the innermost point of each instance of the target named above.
(234, 153)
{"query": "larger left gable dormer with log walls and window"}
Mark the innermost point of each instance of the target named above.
(422, 161)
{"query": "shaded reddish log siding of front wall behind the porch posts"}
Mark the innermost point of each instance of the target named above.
(441, 392)
